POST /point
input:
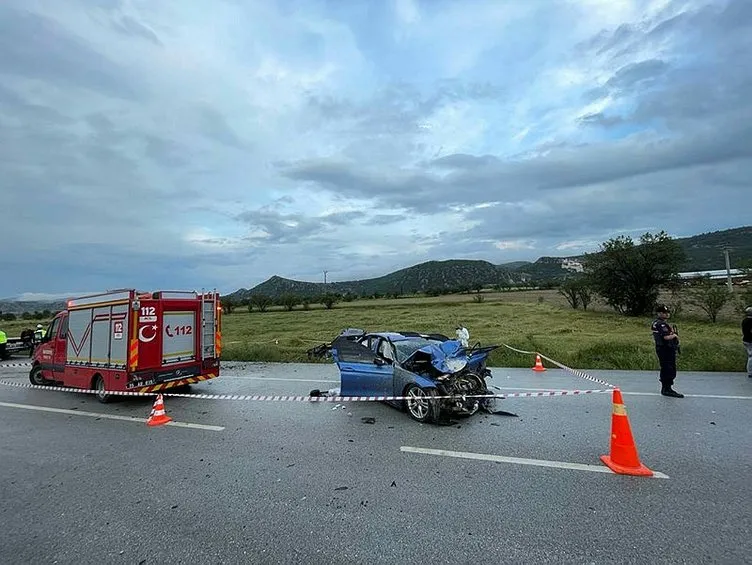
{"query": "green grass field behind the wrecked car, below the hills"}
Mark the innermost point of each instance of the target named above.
(533, 320)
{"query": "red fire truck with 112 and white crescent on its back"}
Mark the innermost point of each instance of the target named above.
(126, 340)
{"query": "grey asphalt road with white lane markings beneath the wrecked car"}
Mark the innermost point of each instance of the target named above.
(299, 482)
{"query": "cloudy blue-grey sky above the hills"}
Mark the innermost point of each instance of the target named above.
(215, 143)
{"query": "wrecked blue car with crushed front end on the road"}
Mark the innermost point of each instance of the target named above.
(420, 367)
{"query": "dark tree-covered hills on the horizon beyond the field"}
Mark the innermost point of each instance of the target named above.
(704, 252)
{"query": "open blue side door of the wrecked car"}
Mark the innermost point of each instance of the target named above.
(363, 372)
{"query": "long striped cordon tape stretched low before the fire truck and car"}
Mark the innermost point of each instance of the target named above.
(295, 398)
